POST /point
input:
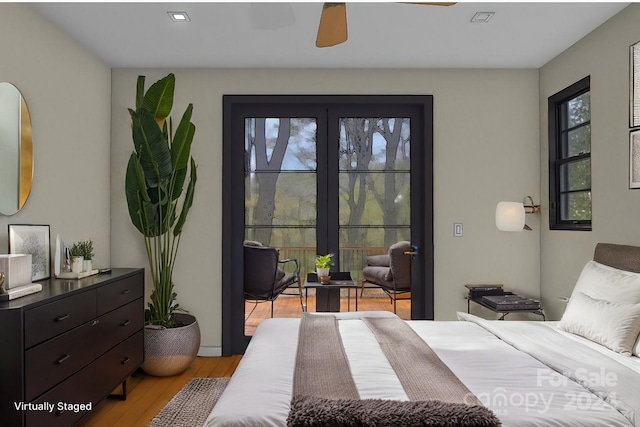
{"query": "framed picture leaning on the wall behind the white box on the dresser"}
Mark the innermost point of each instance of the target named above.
(34, 240)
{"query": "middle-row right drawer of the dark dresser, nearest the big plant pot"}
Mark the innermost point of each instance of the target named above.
(119, 324)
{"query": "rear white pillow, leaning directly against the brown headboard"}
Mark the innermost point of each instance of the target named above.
(602, 282)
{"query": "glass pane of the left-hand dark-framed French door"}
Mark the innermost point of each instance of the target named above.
(281, 189)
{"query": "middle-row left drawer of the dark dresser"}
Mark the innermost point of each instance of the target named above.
(51, 362)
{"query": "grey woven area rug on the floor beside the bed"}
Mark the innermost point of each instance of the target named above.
(192, 405)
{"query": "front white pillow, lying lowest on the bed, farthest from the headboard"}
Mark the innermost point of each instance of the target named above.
(615, 325)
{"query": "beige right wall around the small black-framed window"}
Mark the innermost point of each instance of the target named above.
(604, 55)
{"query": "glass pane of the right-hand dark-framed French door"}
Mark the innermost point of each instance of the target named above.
(374, 188)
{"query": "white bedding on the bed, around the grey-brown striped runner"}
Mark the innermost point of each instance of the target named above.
(520, 390)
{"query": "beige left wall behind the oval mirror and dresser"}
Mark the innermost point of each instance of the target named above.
(67, 90)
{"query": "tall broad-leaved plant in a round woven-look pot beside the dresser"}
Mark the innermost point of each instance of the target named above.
(158, 206)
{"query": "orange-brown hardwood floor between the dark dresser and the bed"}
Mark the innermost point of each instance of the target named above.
(147, 395)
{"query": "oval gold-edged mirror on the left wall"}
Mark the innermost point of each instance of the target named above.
(16, 150)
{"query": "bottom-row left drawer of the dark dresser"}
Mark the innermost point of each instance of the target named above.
(77, 390)
